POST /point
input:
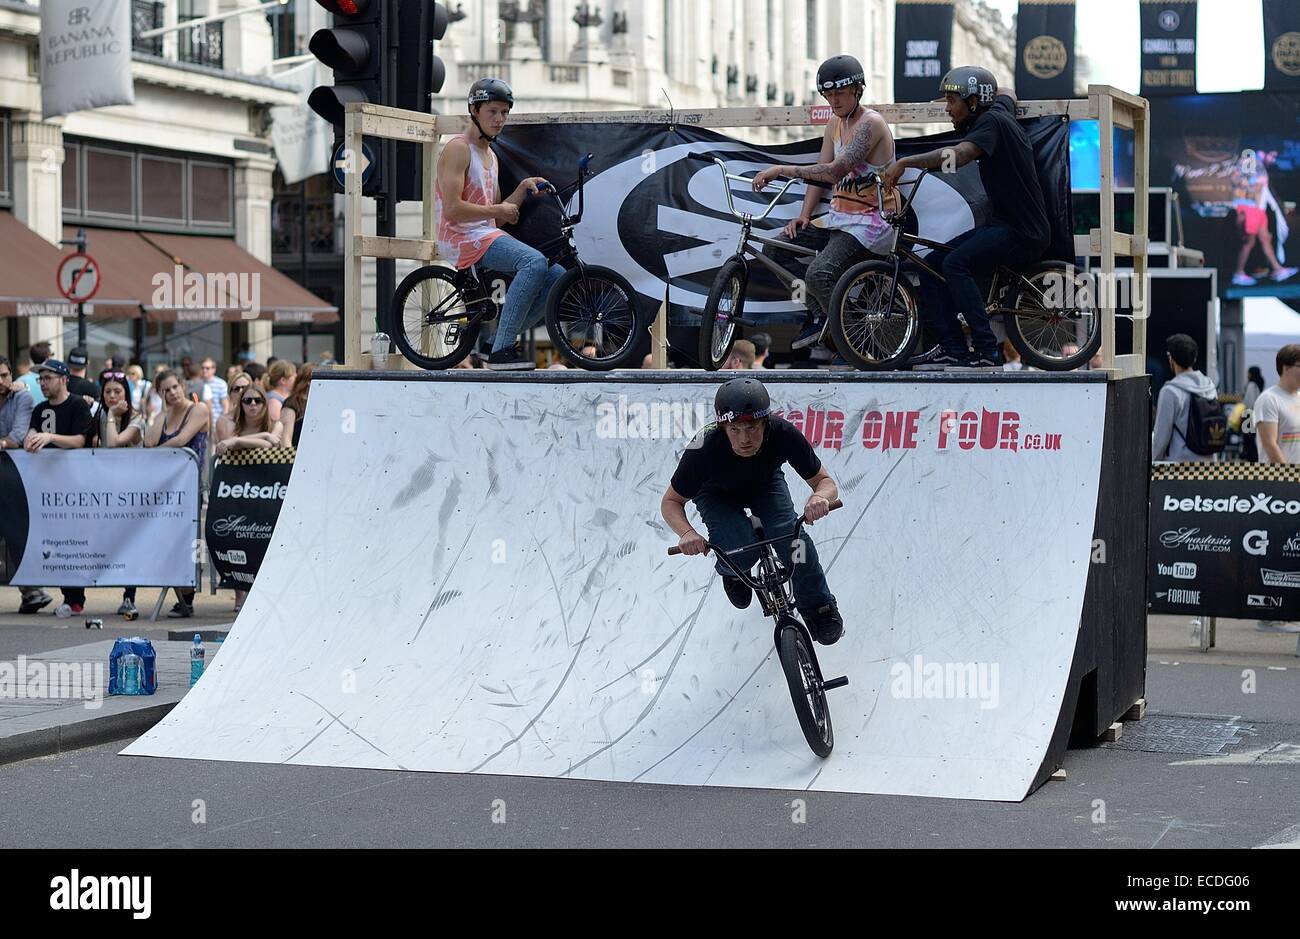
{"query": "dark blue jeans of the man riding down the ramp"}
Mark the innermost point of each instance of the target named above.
(730, 529)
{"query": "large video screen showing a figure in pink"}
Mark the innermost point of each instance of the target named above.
(1234, 161)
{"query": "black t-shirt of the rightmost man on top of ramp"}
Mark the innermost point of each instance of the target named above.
(1009, 174)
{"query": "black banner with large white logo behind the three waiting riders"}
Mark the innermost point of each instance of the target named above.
(656, 217)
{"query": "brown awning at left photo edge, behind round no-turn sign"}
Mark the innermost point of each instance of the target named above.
(29, 271)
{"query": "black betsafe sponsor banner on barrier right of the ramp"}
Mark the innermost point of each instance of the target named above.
(1225, 548)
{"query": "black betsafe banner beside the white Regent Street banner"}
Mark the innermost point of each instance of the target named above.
(248, 491)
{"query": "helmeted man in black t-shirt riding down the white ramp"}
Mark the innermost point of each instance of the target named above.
(736, 465)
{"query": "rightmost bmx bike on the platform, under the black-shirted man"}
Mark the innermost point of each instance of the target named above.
(876, 318)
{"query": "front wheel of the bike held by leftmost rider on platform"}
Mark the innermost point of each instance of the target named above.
(595, 306)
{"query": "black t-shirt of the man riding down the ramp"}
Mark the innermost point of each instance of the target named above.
(710, 466)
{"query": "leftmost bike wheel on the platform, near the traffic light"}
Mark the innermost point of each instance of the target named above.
(436, 317)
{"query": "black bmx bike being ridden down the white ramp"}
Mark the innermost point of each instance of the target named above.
(794, 641)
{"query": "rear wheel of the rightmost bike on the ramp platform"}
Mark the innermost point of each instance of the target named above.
(1051, 306)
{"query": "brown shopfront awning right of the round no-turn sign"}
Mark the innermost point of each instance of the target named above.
(198, 279)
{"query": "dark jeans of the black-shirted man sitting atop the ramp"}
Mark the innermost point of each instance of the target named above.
(972, 253)
